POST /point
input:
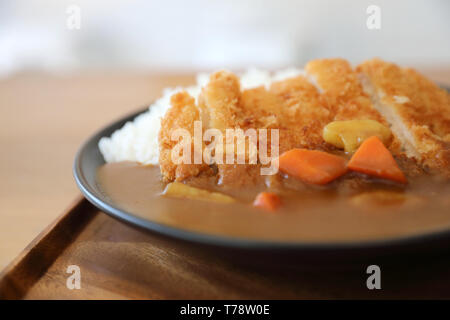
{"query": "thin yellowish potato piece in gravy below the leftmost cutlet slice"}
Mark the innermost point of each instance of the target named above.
(181, 190)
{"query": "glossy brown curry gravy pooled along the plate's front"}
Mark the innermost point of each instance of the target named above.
(325, 214)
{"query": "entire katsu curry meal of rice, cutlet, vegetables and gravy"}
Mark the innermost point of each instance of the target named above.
(363, 154)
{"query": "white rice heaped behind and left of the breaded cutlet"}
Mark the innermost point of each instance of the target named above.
(138, 140)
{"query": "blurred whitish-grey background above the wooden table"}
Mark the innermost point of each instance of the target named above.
(180, 35)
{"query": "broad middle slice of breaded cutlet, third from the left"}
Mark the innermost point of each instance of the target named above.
(292, 106)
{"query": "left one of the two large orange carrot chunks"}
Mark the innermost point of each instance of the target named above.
(312, 166)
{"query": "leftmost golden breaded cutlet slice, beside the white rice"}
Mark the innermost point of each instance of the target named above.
(182, 114)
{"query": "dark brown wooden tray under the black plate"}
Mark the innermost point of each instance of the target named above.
(120, 262)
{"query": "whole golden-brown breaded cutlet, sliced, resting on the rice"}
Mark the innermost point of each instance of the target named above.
(416, 110)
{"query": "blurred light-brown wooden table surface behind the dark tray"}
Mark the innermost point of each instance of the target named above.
(44, 120)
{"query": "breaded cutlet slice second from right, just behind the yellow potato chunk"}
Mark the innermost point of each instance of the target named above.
(343, 93)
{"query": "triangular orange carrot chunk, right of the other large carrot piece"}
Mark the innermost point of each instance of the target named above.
(374, 159)
